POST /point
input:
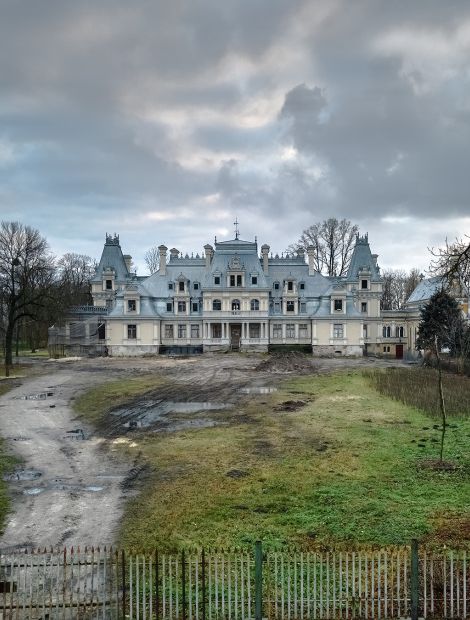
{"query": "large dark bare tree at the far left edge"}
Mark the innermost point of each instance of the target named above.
(26, 278)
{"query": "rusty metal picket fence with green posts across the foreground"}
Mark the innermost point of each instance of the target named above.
(401, 582)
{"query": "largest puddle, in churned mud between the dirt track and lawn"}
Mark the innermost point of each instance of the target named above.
(146, 414)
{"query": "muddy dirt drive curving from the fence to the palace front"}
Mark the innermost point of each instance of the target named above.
(71, 488)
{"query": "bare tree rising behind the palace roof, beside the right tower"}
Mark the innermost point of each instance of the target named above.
(333, 241)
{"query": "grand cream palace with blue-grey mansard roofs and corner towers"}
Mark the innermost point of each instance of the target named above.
(237, 297)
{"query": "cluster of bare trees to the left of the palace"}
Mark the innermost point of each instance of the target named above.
(36, 288)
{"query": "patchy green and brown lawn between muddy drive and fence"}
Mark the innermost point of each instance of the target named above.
(344, 465)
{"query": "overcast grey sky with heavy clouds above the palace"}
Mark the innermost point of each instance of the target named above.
(166, 120)
